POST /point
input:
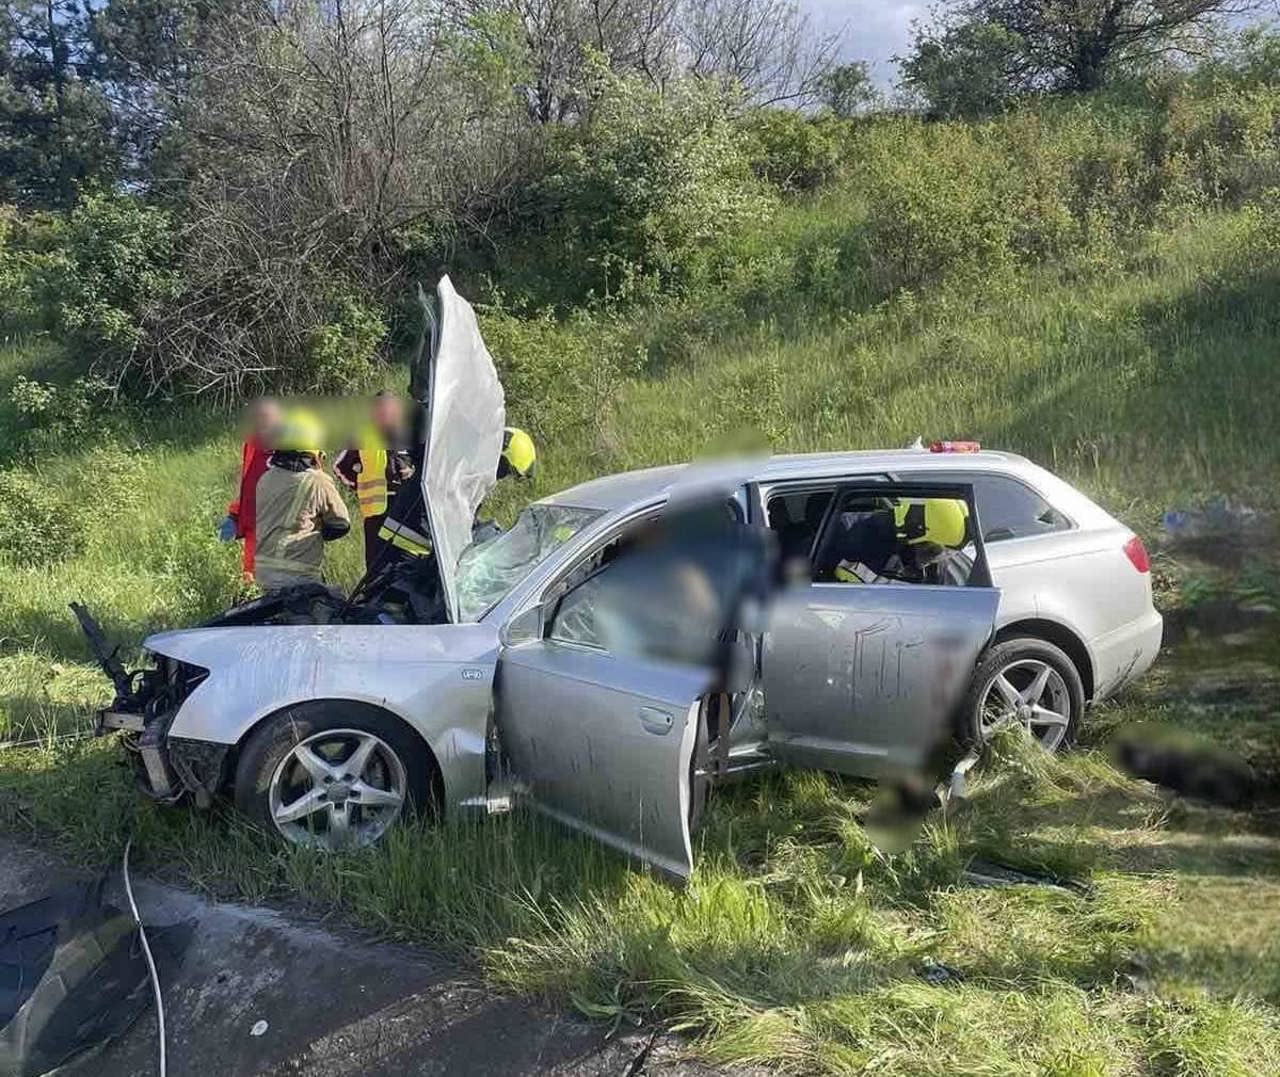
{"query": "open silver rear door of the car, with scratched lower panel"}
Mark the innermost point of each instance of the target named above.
(863, 678)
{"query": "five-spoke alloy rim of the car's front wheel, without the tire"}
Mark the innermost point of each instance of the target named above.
(339, 790)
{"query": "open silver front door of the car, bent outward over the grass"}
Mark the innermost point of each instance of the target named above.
(605, 737)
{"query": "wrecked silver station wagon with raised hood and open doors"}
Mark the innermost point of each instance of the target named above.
(328, 733)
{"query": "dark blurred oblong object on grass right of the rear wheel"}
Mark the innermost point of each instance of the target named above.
(1186, 764)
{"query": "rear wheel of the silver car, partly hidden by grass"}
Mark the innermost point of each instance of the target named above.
(1030, 683)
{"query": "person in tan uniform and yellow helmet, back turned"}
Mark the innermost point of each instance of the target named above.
(299, 509)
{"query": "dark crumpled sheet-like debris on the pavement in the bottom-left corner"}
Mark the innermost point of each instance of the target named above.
(72, 976)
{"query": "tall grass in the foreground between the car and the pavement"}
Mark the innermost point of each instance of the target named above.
(796, 944)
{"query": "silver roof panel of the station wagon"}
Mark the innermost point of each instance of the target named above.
(629, 489)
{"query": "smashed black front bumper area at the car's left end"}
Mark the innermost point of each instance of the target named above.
(145, 706)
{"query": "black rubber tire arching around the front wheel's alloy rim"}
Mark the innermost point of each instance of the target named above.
(276, 737)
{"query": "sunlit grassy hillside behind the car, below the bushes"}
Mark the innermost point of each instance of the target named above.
(1150, 389)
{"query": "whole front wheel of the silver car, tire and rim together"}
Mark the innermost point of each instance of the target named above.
(332, 775)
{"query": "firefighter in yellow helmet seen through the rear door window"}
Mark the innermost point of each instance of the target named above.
(908, 540)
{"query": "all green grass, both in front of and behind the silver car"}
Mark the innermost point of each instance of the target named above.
(796, 944)
